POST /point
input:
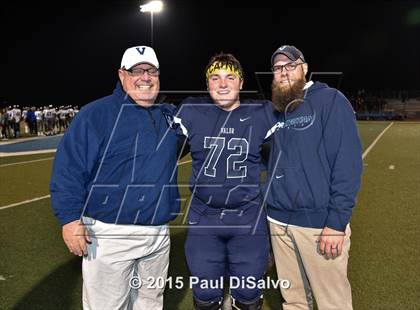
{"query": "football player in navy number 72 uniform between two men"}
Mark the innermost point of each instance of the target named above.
(227, 235)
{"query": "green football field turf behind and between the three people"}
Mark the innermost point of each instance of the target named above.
(37, 271)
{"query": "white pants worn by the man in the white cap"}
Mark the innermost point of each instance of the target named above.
(116, 254)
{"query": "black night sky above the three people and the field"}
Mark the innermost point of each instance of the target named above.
(69, 53)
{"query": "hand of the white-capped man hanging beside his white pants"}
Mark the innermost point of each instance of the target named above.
(75, 235)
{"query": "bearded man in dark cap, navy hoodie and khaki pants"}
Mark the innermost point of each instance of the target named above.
(315, 169)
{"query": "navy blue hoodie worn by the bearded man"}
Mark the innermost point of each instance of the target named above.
(315, 163)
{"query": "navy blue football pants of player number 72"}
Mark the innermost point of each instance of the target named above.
(228, 243)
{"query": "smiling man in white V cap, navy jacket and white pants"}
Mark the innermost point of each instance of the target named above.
(113, 190)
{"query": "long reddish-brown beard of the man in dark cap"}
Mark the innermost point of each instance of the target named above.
(287, 100)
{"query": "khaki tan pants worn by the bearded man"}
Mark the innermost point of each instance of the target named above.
(310, 274)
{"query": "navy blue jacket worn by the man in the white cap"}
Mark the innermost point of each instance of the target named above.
(117, 163)
